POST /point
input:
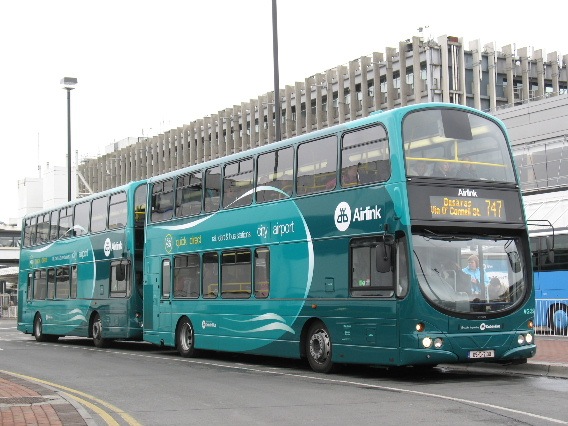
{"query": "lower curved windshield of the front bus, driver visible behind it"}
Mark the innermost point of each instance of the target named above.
(469, 275)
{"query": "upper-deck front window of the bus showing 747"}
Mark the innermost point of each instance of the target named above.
(446, 143)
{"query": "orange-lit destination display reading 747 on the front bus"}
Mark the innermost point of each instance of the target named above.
(473, 208)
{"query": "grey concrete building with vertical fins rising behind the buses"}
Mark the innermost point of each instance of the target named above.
(419, 70)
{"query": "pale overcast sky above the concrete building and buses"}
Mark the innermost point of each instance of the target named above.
(147, 66)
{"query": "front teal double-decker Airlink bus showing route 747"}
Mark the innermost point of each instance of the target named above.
(395, 239)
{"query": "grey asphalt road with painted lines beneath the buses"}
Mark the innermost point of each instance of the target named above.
(157, 387)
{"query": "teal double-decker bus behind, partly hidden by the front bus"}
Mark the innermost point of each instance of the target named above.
(81, 268)
